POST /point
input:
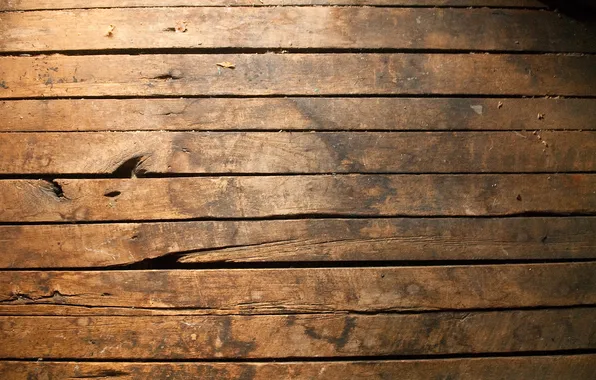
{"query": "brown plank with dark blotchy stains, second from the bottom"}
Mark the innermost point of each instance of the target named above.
(296, 336)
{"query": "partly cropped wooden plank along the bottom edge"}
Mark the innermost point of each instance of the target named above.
(579, 367)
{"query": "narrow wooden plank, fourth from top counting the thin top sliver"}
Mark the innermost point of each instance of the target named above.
(297, 113)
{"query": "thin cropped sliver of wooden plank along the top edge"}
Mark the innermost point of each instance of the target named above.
(14, 5)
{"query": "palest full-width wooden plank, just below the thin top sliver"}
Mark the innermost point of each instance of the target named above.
(295, 28)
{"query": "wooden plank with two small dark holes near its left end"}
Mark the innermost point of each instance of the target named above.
(274, 196)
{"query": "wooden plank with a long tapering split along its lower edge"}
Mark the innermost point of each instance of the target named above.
(399, 239)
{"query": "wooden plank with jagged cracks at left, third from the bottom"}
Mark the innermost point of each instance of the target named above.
(307, 290)
